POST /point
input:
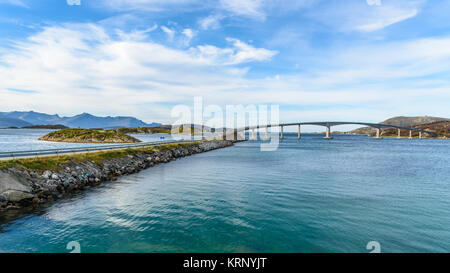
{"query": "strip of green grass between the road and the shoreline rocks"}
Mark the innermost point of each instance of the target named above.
(55, 163)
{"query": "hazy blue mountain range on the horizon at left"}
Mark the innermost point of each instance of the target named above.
(85, 120)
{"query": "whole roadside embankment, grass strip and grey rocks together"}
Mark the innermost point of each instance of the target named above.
(22, 185)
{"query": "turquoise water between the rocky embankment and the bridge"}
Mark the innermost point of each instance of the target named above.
(311, 195)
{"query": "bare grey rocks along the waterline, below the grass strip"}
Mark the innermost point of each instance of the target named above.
(23, 188)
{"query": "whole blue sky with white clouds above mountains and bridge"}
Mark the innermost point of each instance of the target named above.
(347, 60)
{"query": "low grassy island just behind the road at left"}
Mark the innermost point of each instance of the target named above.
(89, 136)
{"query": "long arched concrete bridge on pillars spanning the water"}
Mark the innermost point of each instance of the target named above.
(328, 124)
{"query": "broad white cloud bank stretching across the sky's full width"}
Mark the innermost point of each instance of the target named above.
(83, 68)
